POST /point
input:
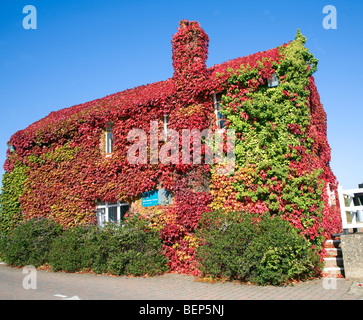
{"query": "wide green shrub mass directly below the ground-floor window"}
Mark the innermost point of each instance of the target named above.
(132, 248)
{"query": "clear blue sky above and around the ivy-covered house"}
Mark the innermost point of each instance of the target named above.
(83, 50)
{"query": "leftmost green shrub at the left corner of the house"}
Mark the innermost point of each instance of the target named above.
(29, 243)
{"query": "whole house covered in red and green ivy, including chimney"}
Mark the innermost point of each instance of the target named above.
(73, 165)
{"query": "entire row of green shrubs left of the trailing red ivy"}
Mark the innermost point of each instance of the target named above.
(132, 248)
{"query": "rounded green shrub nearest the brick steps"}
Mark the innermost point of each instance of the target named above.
(279, 254)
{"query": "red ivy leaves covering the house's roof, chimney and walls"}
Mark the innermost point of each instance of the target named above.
(68, 189)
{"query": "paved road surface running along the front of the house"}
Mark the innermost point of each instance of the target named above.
(60, 286)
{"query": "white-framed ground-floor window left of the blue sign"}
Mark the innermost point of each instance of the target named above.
(111, 212)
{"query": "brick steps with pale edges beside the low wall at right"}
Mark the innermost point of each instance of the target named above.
(334, 265)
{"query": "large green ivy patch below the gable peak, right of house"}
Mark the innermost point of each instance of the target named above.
(273, 130)
